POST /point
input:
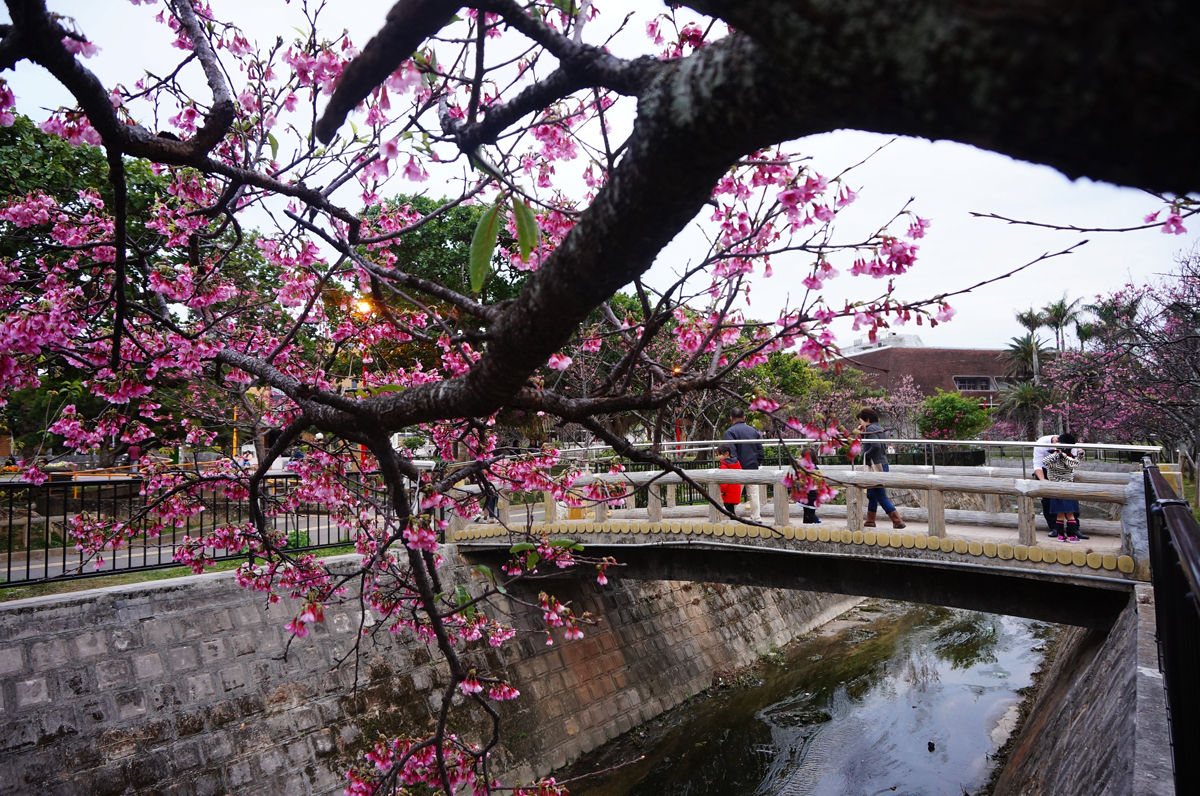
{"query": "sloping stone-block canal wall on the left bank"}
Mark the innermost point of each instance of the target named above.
(183, 687)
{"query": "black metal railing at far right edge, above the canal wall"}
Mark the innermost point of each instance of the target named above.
(1175, 573)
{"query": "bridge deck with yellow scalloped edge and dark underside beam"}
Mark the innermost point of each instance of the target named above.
(977, 568)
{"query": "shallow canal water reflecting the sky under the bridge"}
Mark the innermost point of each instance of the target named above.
(891, 699)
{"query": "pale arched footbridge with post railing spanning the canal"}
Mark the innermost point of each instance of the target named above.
(987, 561)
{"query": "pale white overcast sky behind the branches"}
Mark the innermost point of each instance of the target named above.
(949, 182)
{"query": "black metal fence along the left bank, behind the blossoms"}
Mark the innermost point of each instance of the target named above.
(37, 520)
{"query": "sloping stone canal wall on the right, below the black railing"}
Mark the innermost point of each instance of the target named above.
(1099, 727)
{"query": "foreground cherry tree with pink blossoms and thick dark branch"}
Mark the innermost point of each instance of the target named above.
(518, 103)
